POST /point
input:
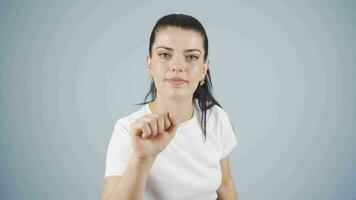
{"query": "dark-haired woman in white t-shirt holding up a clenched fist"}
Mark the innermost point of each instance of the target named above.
(177, 145)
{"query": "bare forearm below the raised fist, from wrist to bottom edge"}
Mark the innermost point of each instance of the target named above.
(133, 181)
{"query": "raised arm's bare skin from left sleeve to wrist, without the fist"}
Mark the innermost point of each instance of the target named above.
(131, 184)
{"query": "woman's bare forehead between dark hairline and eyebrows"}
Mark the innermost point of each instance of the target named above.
(178, 38)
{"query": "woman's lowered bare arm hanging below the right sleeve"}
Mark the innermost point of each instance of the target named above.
(227, 190)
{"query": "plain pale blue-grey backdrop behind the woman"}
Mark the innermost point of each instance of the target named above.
(283, 70)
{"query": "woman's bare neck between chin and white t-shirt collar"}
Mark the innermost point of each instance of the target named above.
(180, 110)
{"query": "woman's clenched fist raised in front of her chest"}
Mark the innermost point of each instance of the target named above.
(151, 134)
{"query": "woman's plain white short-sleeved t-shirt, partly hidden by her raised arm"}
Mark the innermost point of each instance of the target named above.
(189, 167)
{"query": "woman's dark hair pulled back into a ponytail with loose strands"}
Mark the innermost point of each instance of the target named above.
(203, 93)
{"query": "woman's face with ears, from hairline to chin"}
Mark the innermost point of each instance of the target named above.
(177, 62)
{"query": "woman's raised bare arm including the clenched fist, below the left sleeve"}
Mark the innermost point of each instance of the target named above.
(150, 134)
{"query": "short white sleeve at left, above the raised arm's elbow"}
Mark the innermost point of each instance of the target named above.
(119, 151)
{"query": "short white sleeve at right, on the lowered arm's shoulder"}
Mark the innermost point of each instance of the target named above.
(229, 138)
